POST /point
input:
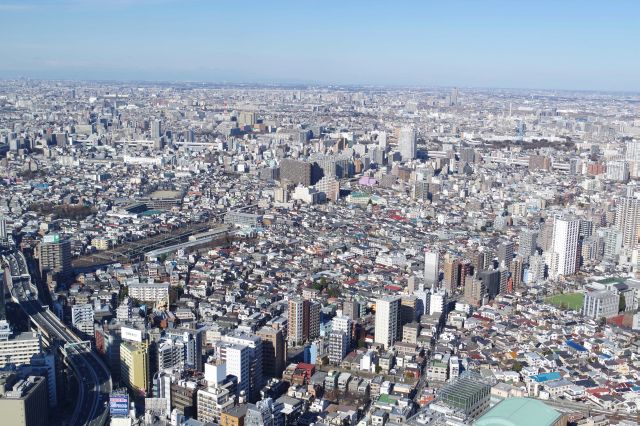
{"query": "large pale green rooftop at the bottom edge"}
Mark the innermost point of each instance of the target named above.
(519, 412)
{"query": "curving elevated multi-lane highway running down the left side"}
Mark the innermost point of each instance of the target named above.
(94, 379)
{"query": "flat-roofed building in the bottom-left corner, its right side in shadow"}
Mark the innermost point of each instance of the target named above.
(23, 402)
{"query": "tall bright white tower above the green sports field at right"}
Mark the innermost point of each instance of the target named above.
(564, 254)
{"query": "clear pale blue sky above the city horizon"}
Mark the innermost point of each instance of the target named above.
(541, 44)
